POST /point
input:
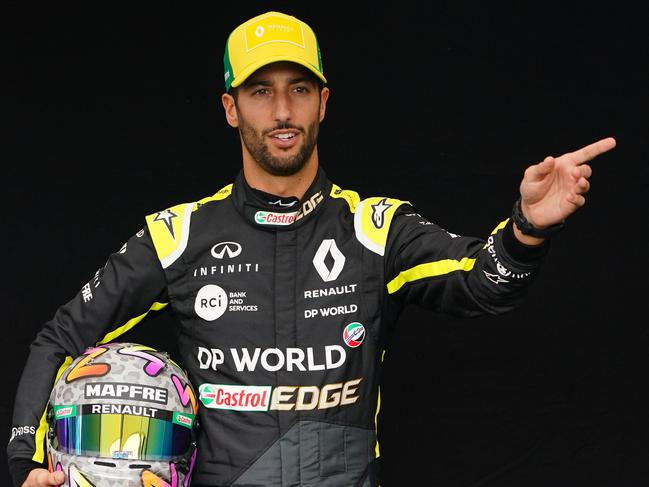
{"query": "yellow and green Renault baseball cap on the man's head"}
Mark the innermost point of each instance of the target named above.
(268, 38)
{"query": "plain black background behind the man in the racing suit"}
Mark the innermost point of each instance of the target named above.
(113, 112)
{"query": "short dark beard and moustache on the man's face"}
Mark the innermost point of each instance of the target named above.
(279, 166)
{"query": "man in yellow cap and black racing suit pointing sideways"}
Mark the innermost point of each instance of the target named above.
(286, 286)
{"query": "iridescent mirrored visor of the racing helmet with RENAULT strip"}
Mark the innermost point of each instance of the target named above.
(122, 432)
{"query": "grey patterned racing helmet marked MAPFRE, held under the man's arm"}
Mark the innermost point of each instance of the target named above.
(122, 414)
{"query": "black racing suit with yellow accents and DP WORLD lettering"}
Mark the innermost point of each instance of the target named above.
(284, 308)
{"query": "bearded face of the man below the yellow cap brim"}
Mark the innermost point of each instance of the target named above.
(278, 111)
